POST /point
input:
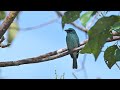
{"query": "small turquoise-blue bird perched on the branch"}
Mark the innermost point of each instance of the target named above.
(72, 41)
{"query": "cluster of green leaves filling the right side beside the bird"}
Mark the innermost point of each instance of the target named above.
(98, 34)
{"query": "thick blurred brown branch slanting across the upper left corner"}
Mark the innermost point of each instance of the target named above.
(7, 22)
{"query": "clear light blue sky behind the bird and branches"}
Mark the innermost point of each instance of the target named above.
(32, 43)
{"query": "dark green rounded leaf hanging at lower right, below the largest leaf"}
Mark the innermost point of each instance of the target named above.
(112, 55)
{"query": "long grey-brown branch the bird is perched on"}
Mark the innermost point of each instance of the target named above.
(49, 56)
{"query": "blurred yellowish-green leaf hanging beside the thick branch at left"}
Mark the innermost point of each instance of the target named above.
(12, 32)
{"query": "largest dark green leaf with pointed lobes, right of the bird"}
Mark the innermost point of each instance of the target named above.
(98, 35)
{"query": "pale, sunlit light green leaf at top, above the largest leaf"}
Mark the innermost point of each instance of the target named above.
(86, 17)
